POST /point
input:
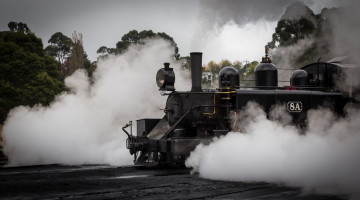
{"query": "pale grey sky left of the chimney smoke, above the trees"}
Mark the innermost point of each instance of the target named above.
(103, 22)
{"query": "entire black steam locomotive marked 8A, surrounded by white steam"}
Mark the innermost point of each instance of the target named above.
(197, 116)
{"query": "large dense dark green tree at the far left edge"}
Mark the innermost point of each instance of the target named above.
(28, 76)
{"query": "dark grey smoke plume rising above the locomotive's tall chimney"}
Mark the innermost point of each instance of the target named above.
(214, 15)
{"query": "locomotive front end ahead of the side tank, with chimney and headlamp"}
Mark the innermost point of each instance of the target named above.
(191, 117)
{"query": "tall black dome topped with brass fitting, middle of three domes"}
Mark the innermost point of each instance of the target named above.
(266, 73)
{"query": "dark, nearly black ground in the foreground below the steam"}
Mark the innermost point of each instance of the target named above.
(105, 182)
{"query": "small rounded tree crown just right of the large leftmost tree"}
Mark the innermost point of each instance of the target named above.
(59, 47)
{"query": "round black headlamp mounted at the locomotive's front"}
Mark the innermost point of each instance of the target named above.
(165, 78)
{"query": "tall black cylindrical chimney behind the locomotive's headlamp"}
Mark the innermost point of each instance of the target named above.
(196, 71)
